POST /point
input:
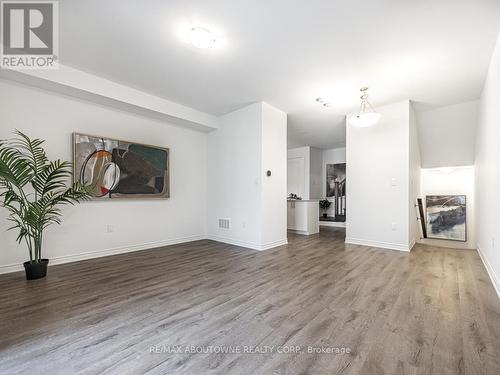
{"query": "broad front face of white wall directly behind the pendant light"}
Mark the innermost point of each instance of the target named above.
(378, 180)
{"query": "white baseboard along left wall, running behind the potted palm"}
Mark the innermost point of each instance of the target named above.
(106, 252)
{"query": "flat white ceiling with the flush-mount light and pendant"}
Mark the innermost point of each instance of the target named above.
(287, 53)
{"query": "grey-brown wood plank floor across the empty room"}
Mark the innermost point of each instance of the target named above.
(433, 311)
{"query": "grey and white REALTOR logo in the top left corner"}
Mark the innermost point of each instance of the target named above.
(29, 35)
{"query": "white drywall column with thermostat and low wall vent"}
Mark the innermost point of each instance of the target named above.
(248, 143)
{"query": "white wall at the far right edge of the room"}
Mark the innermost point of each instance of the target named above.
(488, 171)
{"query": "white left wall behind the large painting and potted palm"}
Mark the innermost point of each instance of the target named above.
(137, 223)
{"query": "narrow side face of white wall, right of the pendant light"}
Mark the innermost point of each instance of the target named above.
(415, 177)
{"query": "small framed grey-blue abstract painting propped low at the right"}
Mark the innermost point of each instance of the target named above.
(446, 217)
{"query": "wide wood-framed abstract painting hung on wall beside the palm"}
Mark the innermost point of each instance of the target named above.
(121, 169)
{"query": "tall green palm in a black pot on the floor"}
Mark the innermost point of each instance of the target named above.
(33, 189)
